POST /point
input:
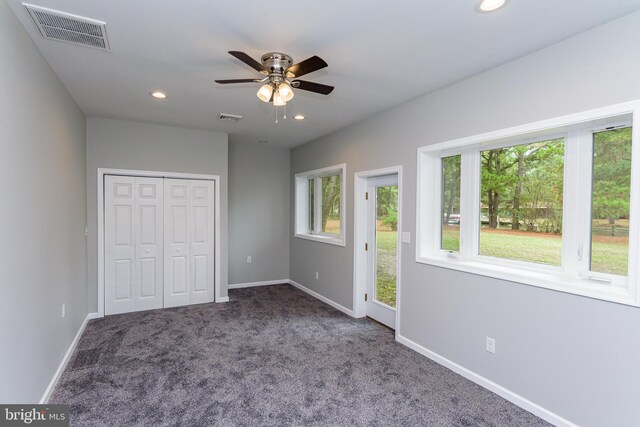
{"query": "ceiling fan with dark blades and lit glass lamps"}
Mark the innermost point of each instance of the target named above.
(279, 69)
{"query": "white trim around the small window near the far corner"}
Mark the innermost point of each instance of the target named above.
(301, 214)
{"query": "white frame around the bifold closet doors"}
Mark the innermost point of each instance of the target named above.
(155, 174)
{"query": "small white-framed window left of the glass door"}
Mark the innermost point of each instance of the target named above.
(320, 205)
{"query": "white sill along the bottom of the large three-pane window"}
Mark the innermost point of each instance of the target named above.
(537, 277)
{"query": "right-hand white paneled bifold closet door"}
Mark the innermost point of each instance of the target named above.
(188, 242)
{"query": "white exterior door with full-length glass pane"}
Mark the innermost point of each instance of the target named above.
(382, 249)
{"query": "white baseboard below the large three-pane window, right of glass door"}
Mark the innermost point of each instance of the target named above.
(512, 397)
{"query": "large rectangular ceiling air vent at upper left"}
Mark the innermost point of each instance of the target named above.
(55, 25)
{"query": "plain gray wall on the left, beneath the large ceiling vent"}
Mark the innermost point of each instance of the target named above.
(43, 211)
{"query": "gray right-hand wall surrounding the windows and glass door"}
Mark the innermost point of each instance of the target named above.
(575, 356)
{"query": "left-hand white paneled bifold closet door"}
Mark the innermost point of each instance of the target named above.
(133, 216)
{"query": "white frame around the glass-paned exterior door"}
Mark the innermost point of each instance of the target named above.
(360, 238)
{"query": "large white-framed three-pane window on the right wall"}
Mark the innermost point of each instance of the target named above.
(549, 204)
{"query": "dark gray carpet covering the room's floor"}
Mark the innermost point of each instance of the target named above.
(272, 356)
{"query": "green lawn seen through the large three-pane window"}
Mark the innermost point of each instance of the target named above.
(608, 255)
